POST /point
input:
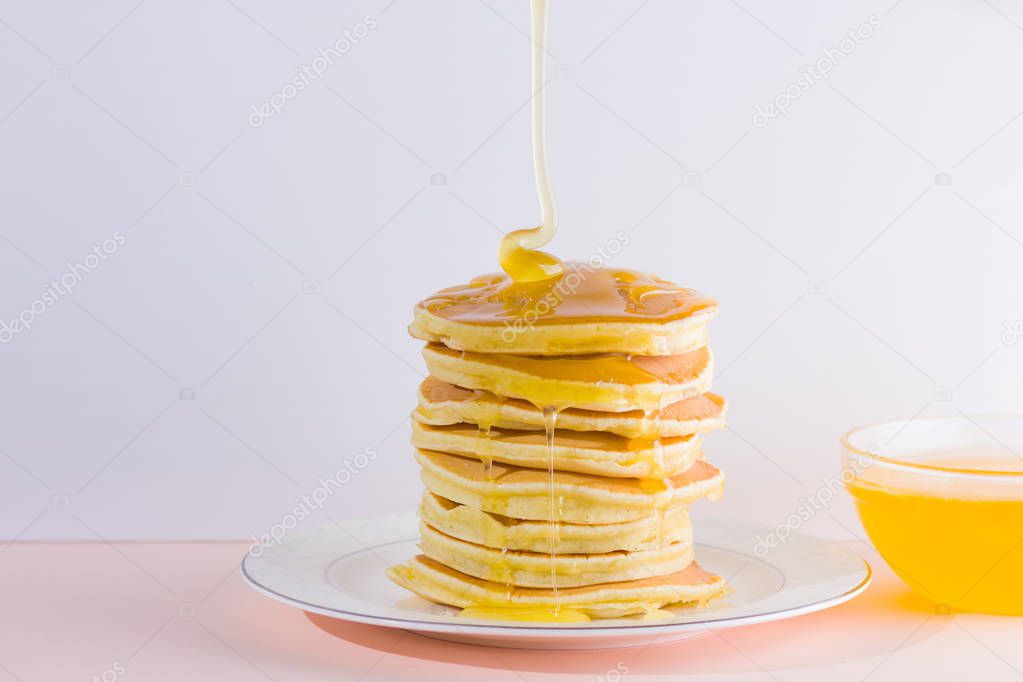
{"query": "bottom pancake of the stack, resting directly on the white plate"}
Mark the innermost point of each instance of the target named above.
(433, 581)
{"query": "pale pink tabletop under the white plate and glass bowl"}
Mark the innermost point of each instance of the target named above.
(181, 612)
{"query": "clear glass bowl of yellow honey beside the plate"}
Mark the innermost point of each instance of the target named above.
(942, 499)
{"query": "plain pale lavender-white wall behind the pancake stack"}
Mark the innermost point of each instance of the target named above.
(109, 113)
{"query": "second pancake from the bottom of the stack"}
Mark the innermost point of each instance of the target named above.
(535, 570)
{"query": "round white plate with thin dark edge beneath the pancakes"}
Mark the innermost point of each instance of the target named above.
(338, 571)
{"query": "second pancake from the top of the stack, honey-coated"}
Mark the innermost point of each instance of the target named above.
(609, 382)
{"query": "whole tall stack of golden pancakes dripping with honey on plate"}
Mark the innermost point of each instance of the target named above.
(560, 437)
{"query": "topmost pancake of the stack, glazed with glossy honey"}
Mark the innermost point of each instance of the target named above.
(583, 311)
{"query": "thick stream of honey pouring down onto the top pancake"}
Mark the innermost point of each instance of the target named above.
(518, 250)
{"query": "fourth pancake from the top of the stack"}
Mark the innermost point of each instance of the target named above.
(584, 452)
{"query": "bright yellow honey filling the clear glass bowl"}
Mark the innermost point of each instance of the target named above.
(955, 532)
